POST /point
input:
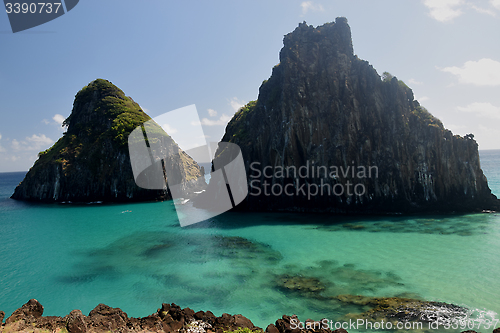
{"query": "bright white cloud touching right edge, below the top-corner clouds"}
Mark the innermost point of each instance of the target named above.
(484, 72)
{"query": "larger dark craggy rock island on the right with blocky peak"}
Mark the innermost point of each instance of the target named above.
(327, 133)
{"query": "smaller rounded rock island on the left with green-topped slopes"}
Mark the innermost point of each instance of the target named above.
(91, 162)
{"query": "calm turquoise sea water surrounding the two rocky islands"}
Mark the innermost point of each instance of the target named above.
(136, 256)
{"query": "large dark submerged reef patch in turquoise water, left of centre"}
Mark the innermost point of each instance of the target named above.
(175, 260)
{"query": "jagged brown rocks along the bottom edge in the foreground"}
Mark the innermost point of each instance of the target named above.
(169, 318)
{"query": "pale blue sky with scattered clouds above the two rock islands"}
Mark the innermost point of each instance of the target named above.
(215, 54)
